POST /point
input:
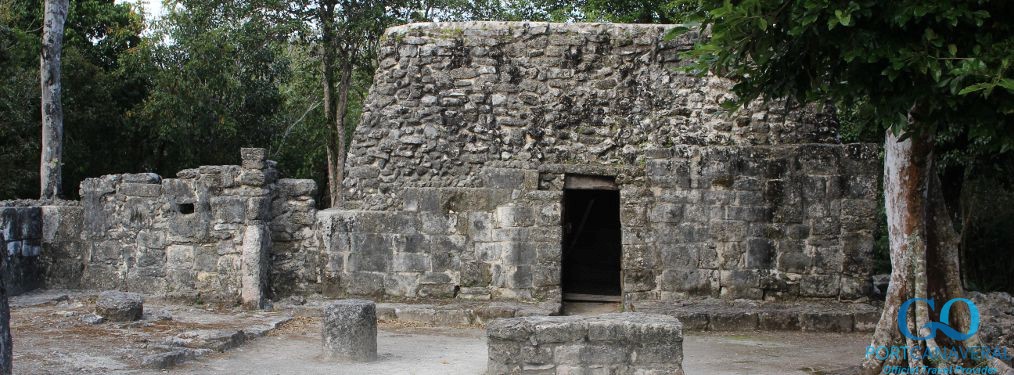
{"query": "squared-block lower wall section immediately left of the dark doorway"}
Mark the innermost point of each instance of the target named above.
(464, 243)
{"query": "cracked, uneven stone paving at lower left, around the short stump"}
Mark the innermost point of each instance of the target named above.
(56, 333)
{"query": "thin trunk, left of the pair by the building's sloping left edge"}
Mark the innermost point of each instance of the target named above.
(327, 18)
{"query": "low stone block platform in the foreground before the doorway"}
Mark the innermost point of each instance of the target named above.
(610, 344)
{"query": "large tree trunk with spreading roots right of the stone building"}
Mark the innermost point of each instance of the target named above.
(924, 255)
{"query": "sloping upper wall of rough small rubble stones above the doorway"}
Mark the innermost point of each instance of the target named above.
(451, 101)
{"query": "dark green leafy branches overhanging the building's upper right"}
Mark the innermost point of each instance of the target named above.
(947, 61)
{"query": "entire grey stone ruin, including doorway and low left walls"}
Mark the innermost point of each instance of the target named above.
(527, 163)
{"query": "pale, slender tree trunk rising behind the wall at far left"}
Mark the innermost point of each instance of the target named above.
(52, 159)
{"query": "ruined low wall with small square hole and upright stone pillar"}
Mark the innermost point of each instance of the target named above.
(200, 237)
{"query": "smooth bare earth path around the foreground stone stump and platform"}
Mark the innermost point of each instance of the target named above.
(296, 350)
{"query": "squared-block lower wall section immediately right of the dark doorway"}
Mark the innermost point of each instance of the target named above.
(757, 222)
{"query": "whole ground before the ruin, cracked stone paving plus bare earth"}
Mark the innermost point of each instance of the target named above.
(52, 339)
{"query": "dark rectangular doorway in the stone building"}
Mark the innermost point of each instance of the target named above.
(593, 251)
